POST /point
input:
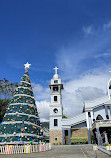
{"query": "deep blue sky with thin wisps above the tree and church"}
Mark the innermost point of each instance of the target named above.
(74, 35)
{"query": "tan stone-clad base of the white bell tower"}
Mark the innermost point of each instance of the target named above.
(56, 134)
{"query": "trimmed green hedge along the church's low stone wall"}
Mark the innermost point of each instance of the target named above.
(79, 140)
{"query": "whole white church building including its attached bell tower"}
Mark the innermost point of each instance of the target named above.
(95, 119)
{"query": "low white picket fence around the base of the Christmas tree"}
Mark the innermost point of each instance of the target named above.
(18, 149)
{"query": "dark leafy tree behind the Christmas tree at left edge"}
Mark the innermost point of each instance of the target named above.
(6, 93)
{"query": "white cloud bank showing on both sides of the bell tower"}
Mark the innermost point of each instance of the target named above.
(88, 87)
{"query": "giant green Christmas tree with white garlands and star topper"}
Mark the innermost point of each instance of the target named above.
(21, 123)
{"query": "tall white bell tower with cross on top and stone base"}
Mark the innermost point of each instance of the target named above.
(56, 109)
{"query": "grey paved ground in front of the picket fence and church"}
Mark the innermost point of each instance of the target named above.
(62, 152)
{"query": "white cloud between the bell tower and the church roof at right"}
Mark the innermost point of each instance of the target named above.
(77, 91)
